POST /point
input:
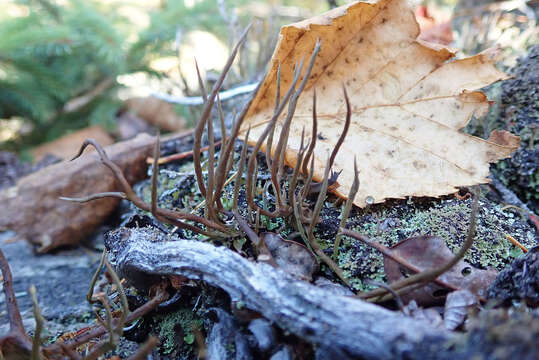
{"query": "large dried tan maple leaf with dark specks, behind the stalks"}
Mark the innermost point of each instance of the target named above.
(408, 102)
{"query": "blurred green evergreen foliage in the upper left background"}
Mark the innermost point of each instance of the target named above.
(61, 62)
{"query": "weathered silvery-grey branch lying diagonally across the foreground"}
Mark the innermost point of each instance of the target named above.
(345, 324)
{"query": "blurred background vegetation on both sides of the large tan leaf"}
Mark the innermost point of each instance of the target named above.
(68, 64)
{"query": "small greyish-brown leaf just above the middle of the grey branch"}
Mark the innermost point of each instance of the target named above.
(290, 256)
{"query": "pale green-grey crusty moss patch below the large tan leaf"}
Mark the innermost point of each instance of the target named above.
(447, 219)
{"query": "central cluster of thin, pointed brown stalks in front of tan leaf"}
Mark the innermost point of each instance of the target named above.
(290, 201)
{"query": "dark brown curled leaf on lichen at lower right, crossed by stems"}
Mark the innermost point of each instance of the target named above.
(427, 252)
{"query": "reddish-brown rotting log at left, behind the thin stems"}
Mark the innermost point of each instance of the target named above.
(32, 207)
